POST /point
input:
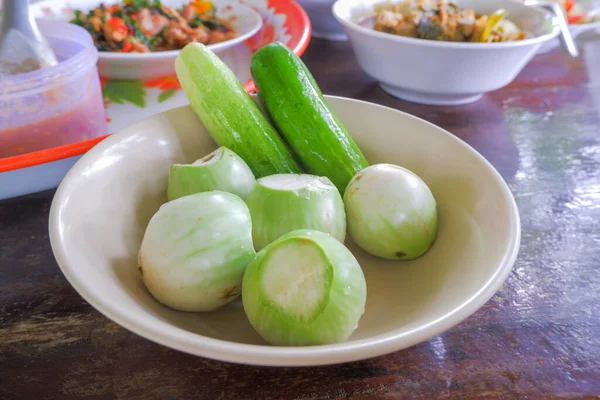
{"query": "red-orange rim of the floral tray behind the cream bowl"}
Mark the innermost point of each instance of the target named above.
(21, 161)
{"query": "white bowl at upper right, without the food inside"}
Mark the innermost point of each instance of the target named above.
(443, 73)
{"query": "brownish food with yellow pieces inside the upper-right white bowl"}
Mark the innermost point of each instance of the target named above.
(444, 20)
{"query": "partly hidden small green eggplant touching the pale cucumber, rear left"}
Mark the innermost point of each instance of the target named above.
(220, 170)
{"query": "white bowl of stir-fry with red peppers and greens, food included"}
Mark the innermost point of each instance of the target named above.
(139, 39)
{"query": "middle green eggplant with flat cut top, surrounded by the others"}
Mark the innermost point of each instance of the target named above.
(286, 202)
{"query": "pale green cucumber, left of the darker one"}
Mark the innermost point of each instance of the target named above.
(232, 119)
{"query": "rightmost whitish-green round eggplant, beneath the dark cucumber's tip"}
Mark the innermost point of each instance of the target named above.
(391, 212)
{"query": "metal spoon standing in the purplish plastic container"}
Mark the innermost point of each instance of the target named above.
(22, 46)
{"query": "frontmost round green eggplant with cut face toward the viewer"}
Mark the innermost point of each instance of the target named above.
(306, 288)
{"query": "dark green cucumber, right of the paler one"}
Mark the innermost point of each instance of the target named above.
(302, 116)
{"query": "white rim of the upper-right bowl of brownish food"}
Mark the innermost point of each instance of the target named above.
(350, 24)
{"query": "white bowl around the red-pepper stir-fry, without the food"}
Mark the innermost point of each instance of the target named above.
(244, 19)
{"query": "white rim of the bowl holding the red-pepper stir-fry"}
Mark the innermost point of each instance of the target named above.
(133, 57)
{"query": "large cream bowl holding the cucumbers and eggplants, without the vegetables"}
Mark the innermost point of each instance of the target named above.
(103, 205)
